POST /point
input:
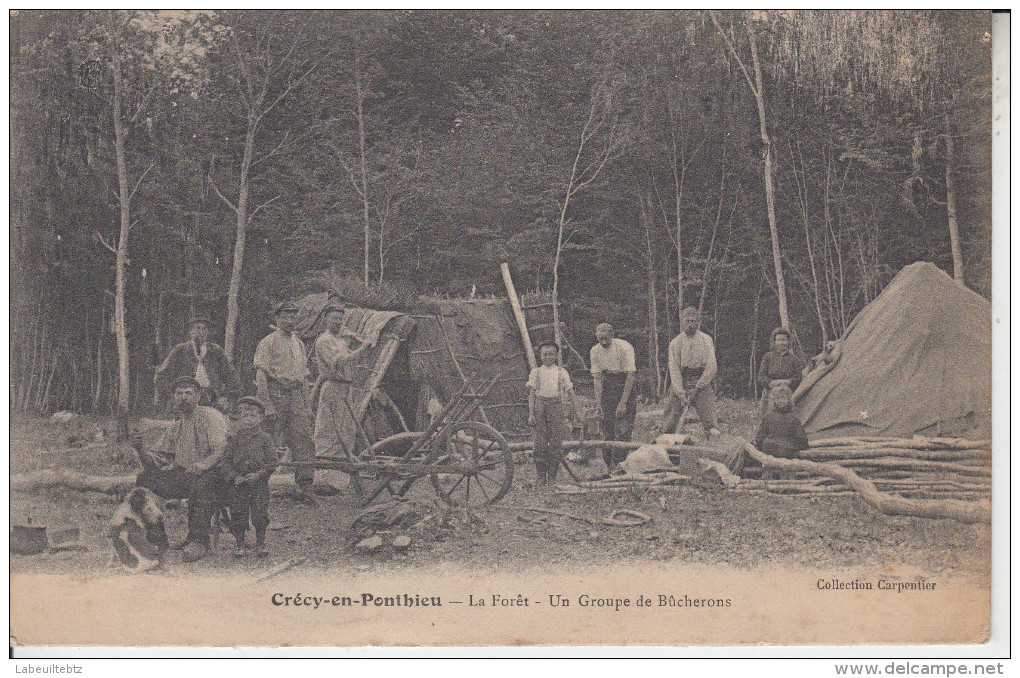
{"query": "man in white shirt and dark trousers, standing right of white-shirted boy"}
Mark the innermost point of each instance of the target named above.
(614, 371)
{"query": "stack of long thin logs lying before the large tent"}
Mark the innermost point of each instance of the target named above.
(916, 468)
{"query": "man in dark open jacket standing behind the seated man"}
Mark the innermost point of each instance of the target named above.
(203, 361)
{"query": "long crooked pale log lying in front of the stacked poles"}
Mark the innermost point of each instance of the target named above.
(966, 512)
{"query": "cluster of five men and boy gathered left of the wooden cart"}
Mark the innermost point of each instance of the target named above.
(192, 459)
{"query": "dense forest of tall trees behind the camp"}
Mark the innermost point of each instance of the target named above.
(768, 168)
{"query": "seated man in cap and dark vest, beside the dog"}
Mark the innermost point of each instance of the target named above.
(183, 463)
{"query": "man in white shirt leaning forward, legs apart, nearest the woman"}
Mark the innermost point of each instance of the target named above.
(692, 369)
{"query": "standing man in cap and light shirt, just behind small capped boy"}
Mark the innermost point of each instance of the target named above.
(282, 382)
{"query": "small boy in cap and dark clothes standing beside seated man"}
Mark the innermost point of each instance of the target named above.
(248, 462)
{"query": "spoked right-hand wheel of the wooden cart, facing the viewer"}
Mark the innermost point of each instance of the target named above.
(488, 464)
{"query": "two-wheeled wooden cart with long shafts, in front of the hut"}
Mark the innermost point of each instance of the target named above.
(469, 463)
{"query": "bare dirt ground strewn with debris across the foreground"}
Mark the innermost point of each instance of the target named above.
(697, 526)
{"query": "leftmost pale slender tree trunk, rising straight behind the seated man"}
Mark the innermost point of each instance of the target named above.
(120, 311)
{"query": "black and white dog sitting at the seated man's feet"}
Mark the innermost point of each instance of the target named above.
(138, 533)
